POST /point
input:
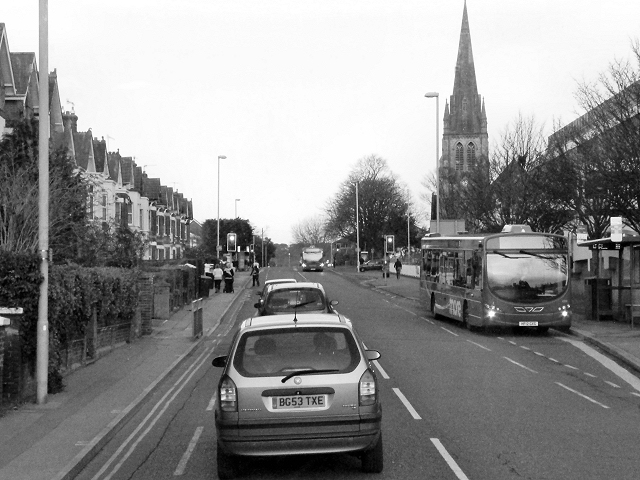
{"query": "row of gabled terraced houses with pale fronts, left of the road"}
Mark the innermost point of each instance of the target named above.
(121, 193)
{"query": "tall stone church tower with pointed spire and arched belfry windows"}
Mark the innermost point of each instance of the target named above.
(465, 142)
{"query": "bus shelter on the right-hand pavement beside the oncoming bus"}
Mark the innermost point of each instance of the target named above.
(600, 291)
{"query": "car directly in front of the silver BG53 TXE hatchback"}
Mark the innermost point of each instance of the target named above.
(299, 297)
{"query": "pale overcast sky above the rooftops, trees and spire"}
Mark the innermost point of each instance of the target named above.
(294, 92)
